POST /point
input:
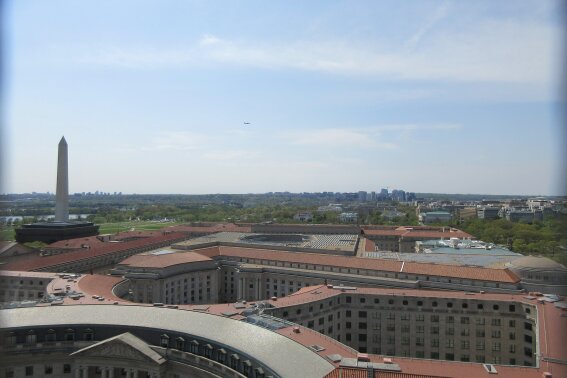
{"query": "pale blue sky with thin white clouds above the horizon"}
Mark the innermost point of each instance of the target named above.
(153, 96)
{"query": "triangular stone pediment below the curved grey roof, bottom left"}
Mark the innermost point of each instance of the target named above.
(122, 347)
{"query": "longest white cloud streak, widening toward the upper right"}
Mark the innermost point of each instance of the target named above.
(488, 51)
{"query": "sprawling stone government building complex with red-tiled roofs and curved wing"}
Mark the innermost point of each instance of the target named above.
(279, 301)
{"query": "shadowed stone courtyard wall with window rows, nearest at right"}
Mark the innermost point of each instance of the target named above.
(433, 328)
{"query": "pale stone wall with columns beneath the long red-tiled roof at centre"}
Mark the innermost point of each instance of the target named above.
(235, 278)
